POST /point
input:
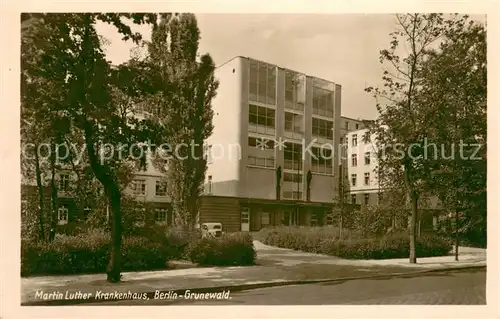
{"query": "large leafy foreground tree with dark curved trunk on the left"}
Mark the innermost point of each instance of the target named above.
(67, 64)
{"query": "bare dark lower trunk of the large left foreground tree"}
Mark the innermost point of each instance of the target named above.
(114, 265)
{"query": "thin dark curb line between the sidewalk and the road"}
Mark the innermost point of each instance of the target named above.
(243, 287)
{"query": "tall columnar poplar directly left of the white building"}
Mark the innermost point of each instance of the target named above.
(180, 95)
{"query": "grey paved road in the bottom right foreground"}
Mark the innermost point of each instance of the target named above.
(446, 288)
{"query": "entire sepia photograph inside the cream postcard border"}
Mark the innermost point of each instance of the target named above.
(251, 159)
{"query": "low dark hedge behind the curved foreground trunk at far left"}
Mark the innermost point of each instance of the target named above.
(89, 253)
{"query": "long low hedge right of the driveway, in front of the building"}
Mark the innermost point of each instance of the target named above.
(385, 247)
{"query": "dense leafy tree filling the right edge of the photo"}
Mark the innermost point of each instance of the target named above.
(454, 88)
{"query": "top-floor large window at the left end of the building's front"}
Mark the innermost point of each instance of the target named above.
(262, 82)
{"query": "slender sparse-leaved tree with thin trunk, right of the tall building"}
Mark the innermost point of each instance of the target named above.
(400, 129)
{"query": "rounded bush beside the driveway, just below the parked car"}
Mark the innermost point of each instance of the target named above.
(229, 250)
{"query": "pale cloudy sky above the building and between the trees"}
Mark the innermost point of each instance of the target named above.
(342, 48)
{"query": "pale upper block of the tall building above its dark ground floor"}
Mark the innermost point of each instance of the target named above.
(258, 102)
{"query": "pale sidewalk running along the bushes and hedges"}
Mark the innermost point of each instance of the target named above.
(276, 266)
